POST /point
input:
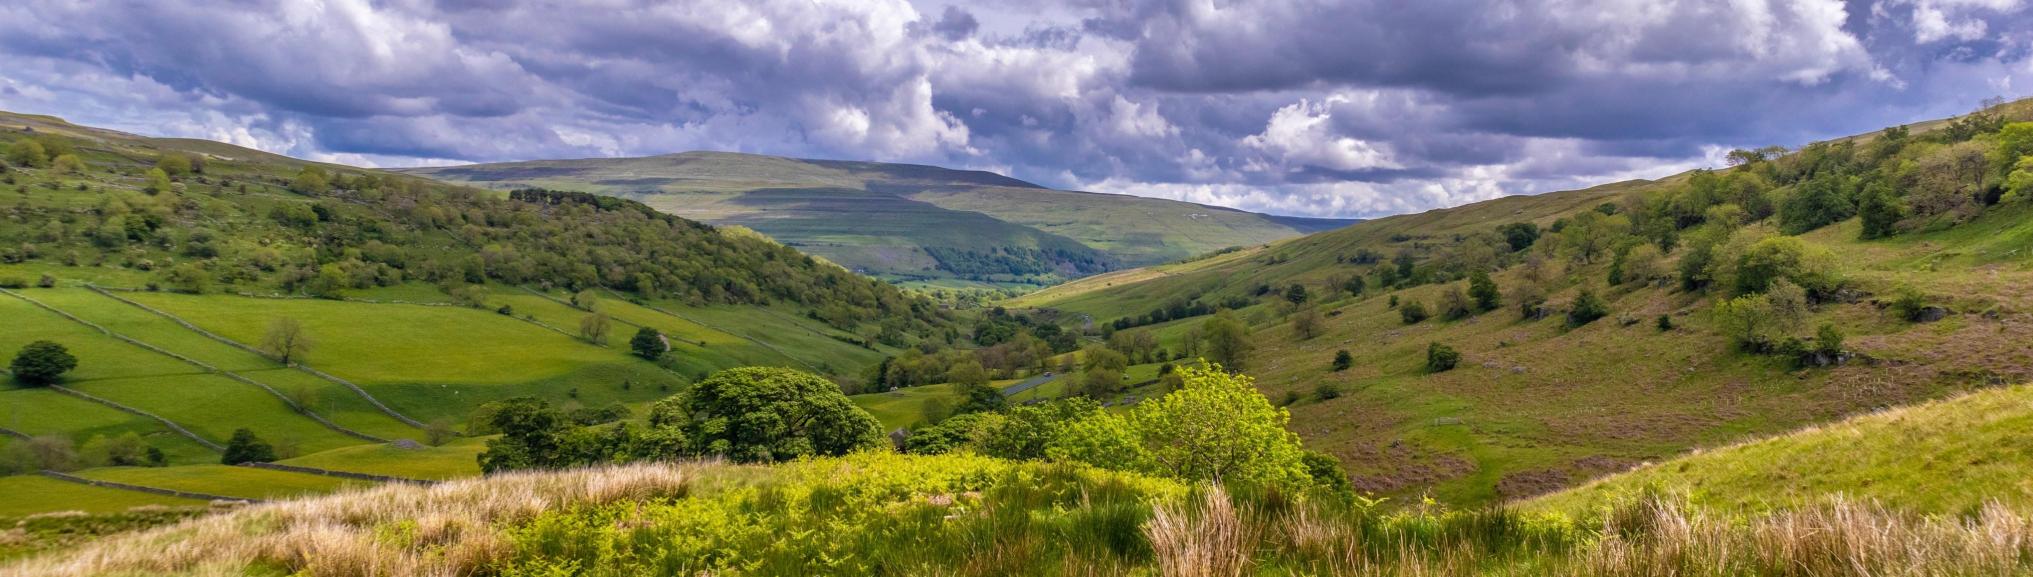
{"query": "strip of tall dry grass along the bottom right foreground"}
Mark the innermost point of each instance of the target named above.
(1648, 537)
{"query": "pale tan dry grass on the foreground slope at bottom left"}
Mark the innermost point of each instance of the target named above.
(438, 531)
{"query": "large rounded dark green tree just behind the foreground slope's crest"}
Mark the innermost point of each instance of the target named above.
(759, 415)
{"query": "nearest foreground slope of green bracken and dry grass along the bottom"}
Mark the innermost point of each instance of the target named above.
(959, 515)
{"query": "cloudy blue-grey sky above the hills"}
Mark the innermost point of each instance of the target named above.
(1324, 109)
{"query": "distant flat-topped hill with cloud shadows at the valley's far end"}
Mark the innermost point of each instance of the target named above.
(906, 222)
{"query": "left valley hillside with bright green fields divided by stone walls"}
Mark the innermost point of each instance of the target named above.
(170, 269)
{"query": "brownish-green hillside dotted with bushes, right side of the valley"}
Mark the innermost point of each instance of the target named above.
(1882, 231)
